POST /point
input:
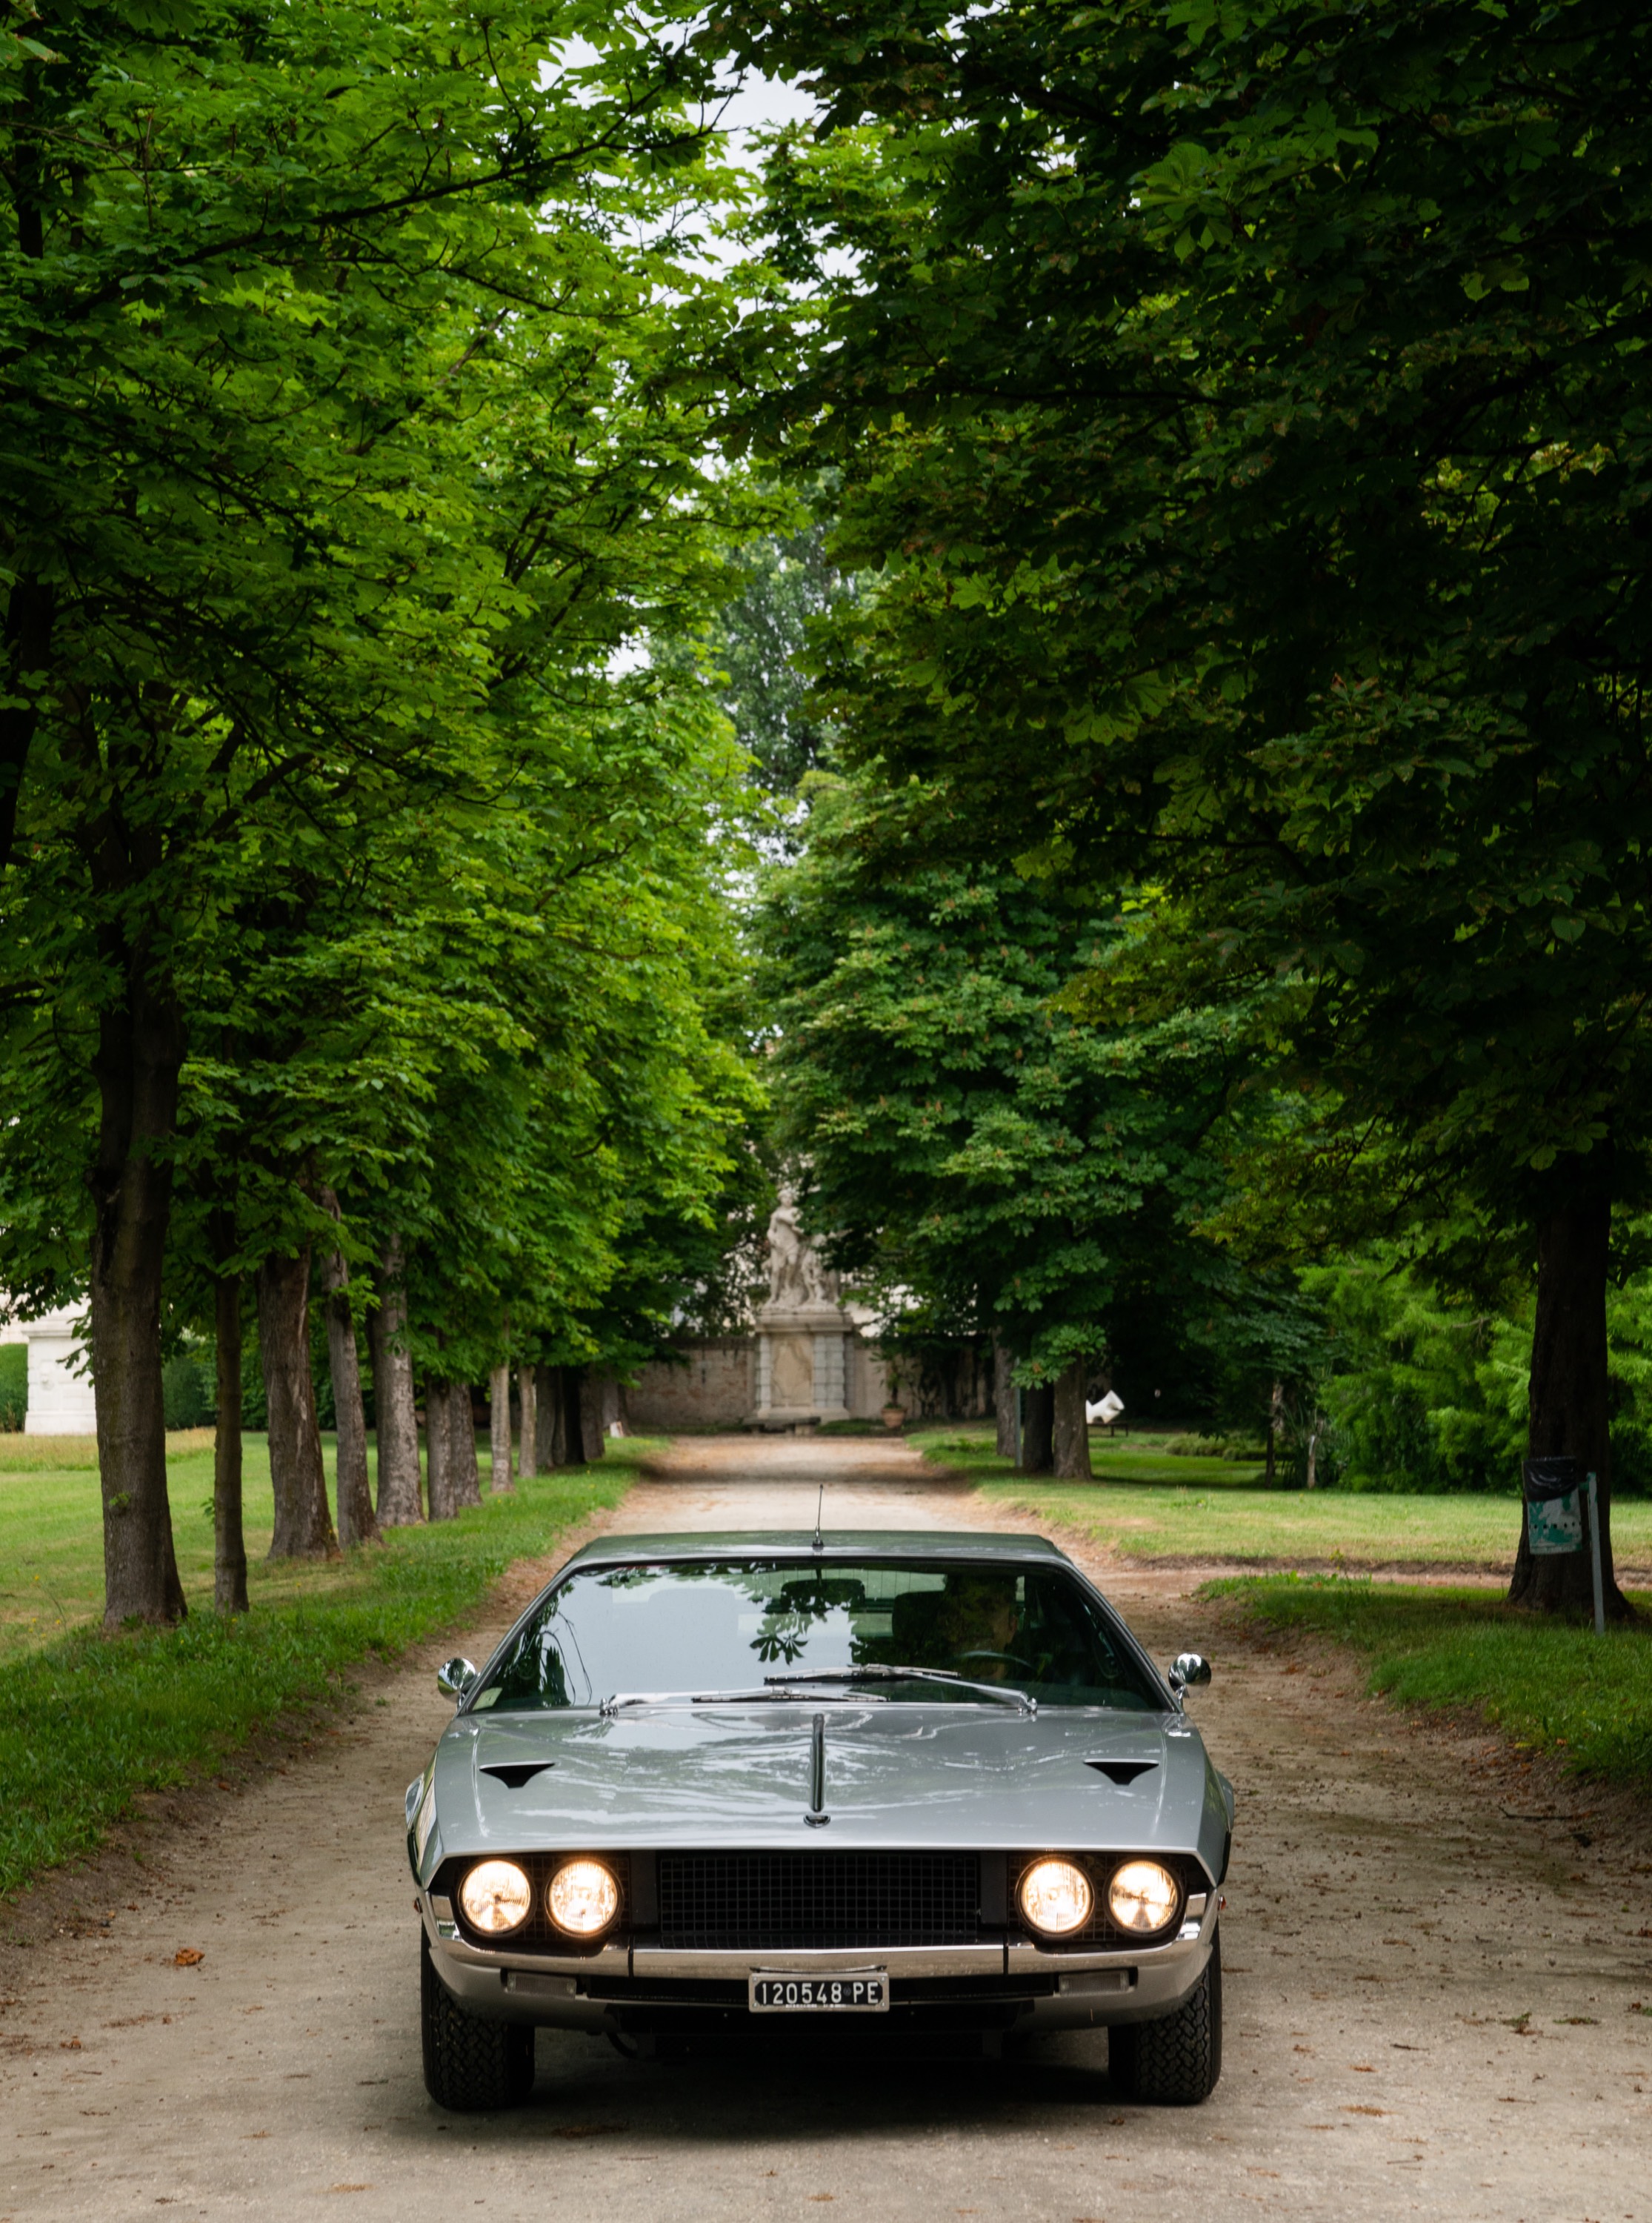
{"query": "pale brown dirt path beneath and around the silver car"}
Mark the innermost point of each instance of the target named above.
(1431, 2006)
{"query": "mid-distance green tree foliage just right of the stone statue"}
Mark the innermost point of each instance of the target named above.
(986, 1159)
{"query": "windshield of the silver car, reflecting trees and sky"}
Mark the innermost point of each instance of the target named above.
(735, 1626)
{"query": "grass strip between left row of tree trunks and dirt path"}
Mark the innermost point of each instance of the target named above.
(88, 1722)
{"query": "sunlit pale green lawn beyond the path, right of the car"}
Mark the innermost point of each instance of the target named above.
(1155, 1506)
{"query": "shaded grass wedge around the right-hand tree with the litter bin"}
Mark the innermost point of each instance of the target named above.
(1549, 1686)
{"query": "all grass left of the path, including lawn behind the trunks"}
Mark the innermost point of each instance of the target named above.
(90, 1722)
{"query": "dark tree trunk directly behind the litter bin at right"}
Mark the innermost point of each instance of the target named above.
(1569, 1402)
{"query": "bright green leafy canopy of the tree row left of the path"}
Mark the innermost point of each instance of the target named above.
(348, 450)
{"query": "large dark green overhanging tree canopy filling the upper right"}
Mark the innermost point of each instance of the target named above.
(1244, 412)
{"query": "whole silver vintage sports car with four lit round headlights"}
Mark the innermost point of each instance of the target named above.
(922, 1780)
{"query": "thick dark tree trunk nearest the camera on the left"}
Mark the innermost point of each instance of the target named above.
(141, 1048)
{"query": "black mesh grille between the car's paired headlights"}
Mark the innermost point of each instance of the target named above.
(797, 1902)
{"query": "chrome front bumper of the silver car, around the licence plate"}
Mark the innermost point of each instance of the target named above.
(942, 1988)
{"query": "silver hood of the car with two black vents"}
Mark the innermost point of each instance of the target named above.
(895, 1777)
